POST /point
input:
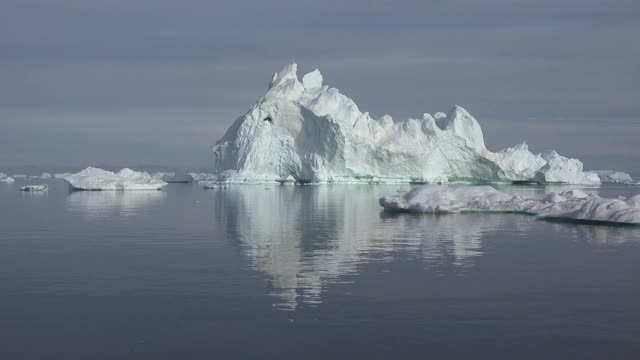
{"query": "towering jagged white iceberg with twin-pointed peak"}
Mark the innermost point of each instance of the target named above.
(313, 133)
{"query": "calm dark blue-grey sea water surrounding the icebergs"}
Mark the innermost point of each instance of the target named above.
(303, 273)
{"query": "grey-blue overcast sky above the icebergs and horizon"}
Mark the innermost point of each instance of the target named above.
(128, 82)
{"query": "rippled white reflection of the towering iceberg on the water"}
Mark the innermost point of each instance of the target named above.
(305, 238)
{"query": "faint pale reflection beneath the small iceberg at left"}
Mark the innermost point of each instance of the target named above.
(100, 203)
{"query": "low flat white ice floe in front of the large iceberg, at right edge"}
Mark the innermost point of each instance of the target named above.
(573, 204)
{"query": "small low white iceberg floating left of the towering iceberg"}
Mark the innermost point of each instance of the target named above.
(125, 179)
